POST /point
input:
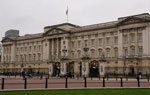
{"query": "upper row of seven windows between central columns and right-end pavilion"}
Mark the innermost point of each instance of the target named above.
(93, 42)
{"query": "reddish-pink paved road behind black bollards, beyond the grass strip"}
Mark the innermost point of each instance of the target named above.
(17, 84)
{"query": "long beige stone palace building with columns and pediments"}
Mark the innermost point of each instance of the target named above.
(120, 47)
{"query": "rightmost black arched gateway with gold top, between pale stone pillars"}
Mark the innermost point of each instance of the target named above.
(94, 69)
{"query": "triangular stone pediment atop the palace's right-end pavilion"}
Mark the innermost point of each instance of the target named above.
(131, 20)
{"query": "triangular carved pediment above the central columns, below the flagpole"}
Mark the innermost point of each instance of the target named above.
(55, 31)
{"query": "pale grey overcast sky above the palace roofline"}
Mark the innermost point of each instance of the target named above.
(30, 16)
